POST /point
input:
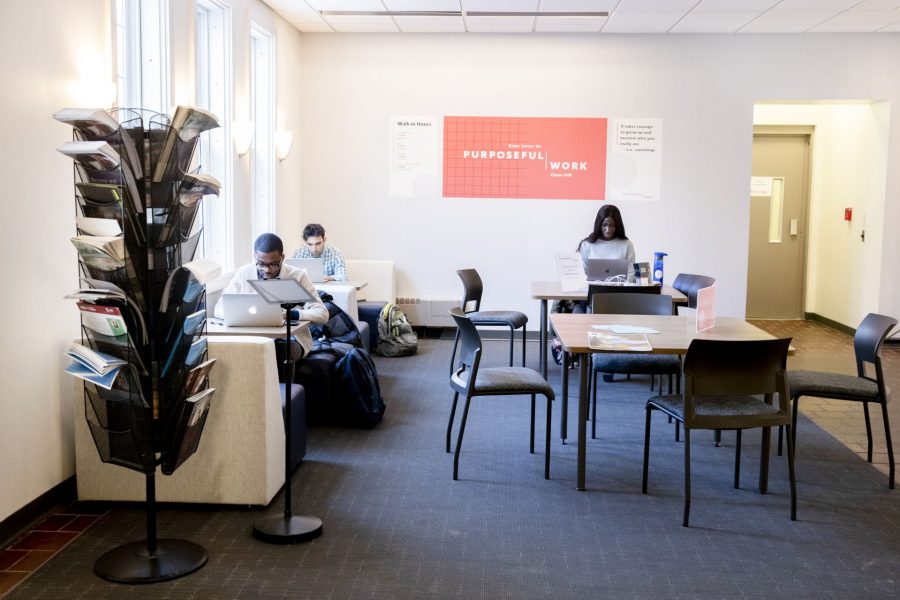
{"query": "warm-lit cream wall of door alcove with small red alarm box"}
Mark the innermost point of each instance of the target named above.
(848, 169)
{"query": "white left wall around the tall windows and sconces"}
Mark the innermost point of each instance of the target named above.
(51, 46)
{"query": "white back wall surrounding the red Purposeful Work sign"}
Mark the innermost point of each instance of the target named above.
(702, 86)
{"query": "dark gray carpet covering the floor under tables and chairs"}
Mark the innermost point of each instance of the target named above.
(397, 526)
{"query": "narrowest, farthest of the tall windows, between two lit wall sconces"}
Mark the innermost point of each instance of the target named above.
(262, 98)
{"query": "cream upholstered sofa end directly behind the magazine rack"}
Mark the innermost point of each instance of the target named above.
(240, 459)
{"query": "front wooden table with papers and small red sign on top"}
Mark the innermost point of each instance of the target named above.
(674, 337)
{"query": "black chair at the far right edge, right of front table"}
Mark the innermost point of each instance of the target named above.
(863, 387)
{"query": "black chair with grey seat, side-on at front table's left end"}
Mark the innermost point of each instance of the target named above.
(469, 380)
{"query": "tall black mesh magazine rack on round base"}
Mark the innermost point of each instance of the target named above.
(154, 412)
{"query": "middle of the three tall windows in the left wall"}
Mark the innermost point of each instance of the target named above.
(213, 70)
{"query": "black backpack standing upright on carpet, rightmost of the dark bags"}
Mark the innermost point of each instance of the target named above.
(356, 390)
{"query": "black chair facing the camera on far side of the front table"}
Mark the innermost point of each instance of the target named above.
(636, 363)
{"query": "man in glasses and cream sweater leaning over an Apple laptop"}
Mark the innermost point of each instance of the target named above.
(268, 252)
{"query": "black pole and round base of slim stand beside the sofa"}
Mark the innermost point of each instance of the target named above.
(287, 528)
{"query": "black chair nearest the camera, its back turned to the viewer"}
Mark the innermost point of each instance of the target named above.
(729, 385)
